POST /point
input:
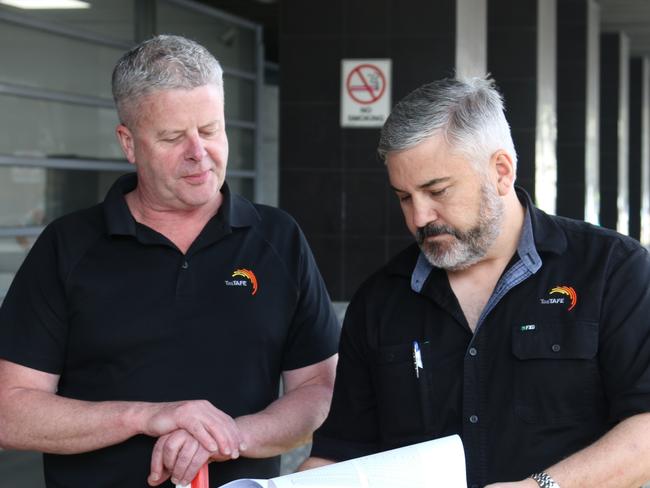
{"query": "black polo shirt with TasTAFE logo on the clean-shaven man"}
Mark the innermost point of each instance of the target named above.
(121, 314)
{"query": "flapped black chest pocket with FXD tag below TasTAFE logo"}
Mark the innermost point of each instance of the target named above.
(556, 376)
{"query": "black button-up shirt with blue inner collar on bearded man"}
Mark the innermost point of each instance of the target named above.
(560, 355)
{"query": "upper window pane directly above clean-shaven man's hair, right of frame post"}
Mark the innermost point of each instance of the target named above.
(232, 45)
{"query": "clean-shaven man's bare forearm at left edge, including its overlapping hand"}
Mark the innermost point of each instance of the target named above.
(42, 421)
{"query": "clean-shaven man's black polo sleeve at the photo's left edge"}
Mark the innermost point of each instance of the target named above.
(33, 316)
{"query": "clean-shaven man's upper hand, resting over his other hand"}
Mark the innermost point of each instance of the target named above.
(213, 429)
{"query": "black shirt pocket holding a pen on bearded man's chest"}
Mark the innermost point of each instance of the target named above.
(403, 398)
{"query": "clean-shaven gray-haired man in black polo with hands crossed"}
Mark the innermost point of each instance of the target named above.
(147, 335)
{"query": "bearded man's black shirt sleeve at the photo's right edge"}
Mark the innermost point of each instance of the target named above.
(624, 349)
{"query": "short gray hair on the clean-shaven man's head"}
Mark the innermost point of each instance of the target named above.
(163, 62)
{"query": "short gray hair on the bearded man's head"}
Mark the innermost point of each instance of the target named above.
(469, 113)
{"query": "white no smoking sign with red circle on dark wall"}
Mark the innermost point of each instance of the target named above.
(365, 92)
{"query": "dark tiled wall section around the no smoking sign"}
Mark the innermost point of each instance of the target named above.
(330, 178)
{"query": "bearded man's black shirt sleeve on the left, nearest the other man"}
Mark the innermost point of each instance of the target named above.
(351, 428)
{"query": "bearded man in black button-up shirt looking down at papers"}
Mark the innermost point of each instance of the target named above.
(526, 334)
